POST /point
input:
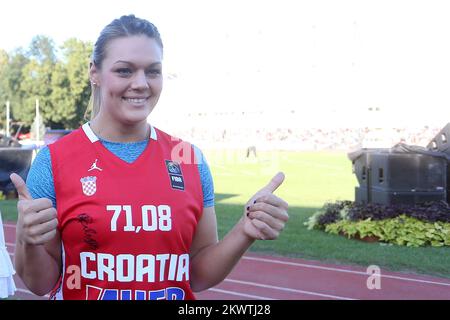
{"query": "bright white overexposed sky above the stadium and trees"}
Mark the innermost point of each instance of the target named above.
(304, 59)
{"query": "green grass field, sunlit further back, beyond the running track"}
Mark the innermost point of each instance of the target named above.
(311, 180)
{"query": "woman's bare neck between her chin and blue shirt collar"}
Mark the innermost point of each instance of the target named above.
(118, 132)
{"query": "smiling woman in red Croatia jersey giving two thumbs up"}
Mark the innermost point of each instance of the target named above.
(115, 210)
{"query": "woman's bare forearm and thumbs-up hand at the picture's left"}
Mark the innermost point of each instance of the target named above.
(38, 244)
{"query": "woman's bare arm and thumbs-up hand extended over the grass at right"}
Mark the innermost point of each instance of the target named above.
(213, 260)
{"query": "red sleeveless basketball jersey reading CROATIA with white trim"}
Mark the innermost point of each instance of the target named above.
(126, 228)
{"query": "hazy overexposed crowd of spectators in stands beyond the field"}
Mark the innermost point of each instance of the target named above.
(306, 139)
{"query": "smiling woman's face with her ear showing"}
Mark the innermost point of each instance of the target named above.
(130, 79)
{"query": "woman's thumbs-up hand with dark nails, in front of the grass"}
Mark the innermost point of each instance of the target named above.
(265, 213)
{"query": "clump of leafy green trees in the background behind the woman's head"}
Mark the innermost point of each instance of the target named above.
(61, 83)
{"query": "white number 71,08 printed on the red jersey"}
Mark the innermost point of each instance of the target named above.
(153, 218)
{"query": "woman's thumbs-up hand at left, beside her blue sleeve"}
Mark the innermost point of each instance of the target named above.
(37, 221)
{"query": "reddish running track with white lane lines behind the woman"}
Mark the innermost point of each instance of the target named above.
(259, 277)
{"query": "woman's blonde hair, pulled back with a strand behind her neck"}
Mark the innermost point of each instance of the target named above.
(125, 26)
